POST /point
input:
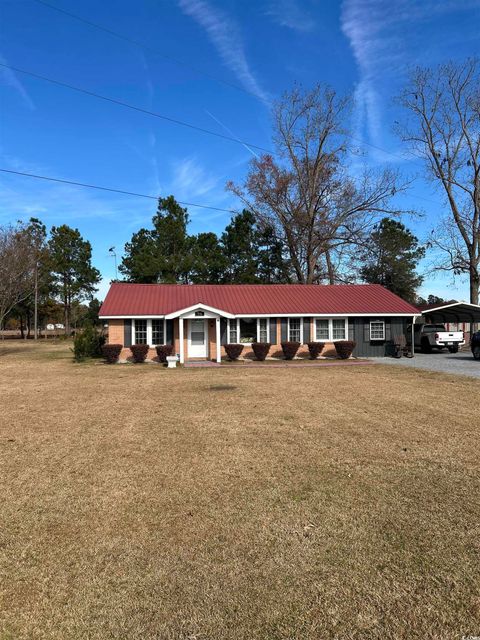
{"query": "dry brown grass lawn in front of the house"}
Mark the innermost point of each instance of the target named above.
(144, 503)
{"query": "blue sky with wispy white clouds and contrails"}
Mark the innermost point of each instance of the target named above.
(363, 47)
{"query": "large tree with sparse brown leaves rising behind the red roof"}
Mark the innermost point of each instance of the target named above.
(306, 193)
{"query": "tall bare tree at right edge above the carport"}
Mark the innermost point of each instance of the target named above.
(444, 130)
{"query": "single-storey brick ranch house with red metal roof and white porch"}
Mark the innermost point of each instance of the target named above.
(200, 319)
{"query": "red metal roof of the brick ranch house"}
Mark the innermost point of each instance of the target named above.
(130, 300)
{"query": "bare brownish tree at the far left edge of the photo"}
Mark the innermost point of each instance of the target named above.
(17, 266)
